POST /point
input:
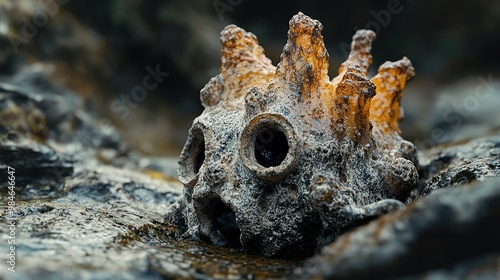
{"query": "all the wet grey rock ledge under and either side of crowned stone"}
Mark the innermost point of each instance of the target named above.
(88, 207)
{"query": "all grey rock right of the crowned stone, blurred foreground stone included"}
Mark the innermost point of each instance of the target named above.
(449, 230)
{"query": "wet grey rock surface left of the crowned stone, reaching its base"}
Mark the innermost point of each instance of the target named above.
(88, 208)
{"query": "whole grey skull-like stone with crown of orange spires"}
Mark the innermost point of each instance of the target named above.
(283, 159)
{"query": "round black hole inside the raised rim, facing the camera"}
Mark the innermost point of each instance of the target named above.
(271, 147)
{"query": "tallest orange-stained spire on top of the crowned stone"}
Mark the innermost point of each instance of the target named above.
(303, 67)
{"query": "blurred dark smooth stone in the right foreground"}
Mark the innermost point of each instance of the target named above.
(447, 227)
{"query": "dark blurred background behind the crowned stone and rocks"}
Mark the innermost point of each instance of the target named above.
(102, 49)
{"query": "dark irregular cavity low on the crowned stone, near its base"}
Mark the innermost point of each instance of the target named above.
(224, 222)
